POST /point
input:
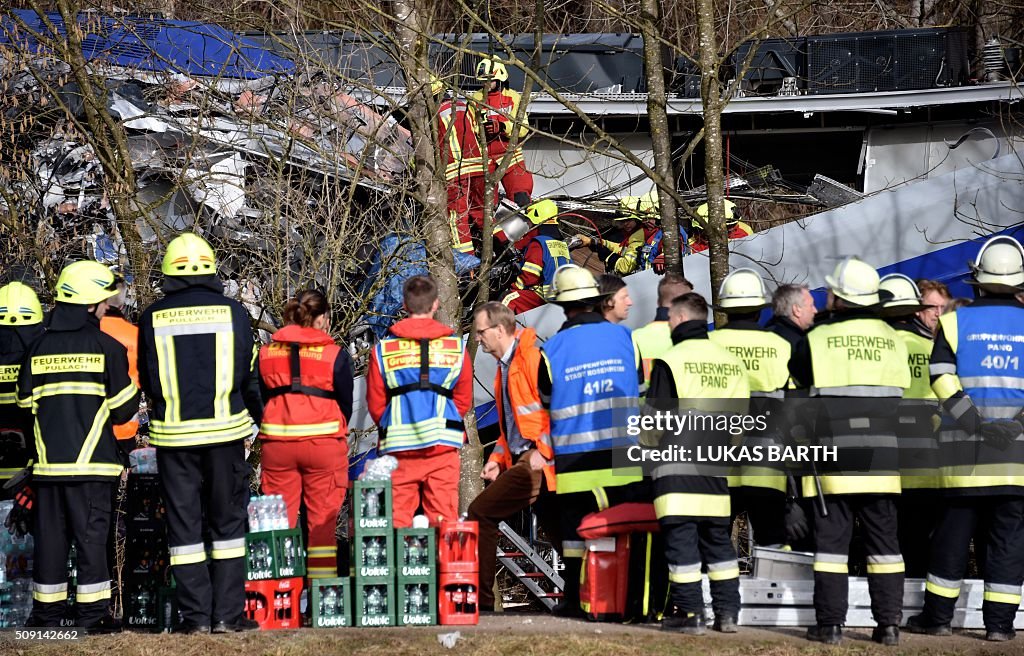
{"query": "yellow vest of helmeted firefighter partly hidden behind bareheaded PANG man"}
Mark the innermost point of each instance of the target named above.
(766, 359)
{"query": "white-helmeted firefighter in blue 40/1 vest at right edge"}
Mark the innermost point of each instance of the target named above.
(976, 376)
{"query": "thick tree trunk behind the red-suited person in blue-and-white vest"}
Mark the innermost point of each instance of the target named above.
(413, 24)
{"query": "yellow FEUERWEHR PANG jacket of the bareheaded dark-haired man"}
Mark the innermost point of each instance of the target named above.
(695, 374)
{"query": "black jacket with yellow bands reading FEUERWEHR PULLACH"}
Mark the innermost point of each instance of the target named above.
(75, 381)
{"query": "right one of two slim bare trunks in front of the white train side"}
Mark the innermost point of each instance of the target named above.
(711, 94)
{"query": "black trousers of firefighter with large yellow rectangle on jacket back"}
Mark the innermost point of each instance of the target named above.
(206, 492)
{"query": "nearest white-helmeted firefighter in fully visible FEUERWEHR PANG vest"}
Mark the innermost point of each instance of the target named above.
(857, 367)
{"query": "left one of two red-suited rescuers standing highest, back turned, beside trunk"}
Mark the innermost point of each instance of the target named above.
(463, 158)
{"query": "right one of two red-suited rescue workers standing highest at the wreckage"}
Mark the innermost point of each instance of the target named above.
(500, 113)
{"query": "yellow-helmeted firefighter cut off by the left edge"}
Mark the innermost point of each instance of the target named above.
(21, 326)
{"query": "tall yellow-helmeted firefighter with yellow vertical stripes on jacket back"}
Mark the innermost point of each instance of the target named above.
(197, 359)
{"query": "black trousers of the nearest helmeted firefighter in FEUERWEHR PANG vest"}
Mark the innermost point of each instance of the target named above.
(877, 514)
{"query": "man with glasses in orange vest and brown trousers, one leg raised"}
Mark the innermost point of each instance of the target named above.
(525, 439)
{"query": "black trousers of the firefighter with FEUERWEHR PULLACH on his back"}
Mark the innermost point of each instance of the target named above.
(66, 512)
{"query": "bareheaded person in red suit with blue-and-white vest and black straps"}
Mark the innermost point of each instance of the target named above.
(419, 388)
